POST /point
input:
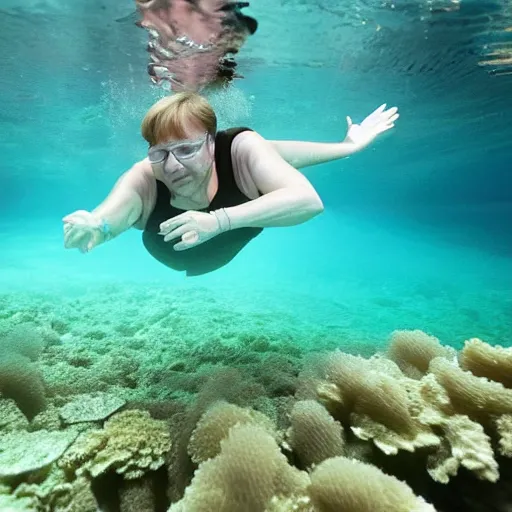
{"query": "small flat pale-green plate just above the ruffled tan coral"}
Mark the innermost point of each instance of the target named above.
(88, 407)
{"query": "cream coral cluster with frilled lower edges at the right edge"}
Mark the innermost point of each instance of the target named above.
(450, 412)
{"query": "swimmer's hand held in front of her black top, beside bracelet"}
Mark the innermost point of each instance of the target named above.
(194, 228)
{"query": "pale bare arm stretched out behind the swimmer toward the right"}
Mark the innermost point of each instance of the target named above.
(300, 154)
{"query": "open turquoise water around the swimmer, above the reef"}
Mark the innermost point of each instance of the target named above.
(416, 231)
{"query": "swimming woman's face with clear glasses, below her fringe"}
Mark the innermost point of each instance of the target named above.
(183, 164)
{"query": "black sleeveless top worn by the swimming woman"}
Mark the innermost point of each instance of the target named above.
(217, 251)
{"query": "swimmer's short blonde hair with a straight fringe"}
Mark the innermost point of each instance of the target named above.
(169, 117)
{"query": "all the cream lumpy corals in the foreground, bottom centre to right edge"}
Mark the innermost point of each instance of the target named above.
(431, 414)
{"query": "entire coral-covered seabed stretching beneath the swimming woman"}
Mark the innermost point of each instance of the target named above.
(254, 424)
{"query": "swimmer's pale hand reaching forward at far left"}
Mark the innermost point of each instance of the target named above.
(82, 231)
